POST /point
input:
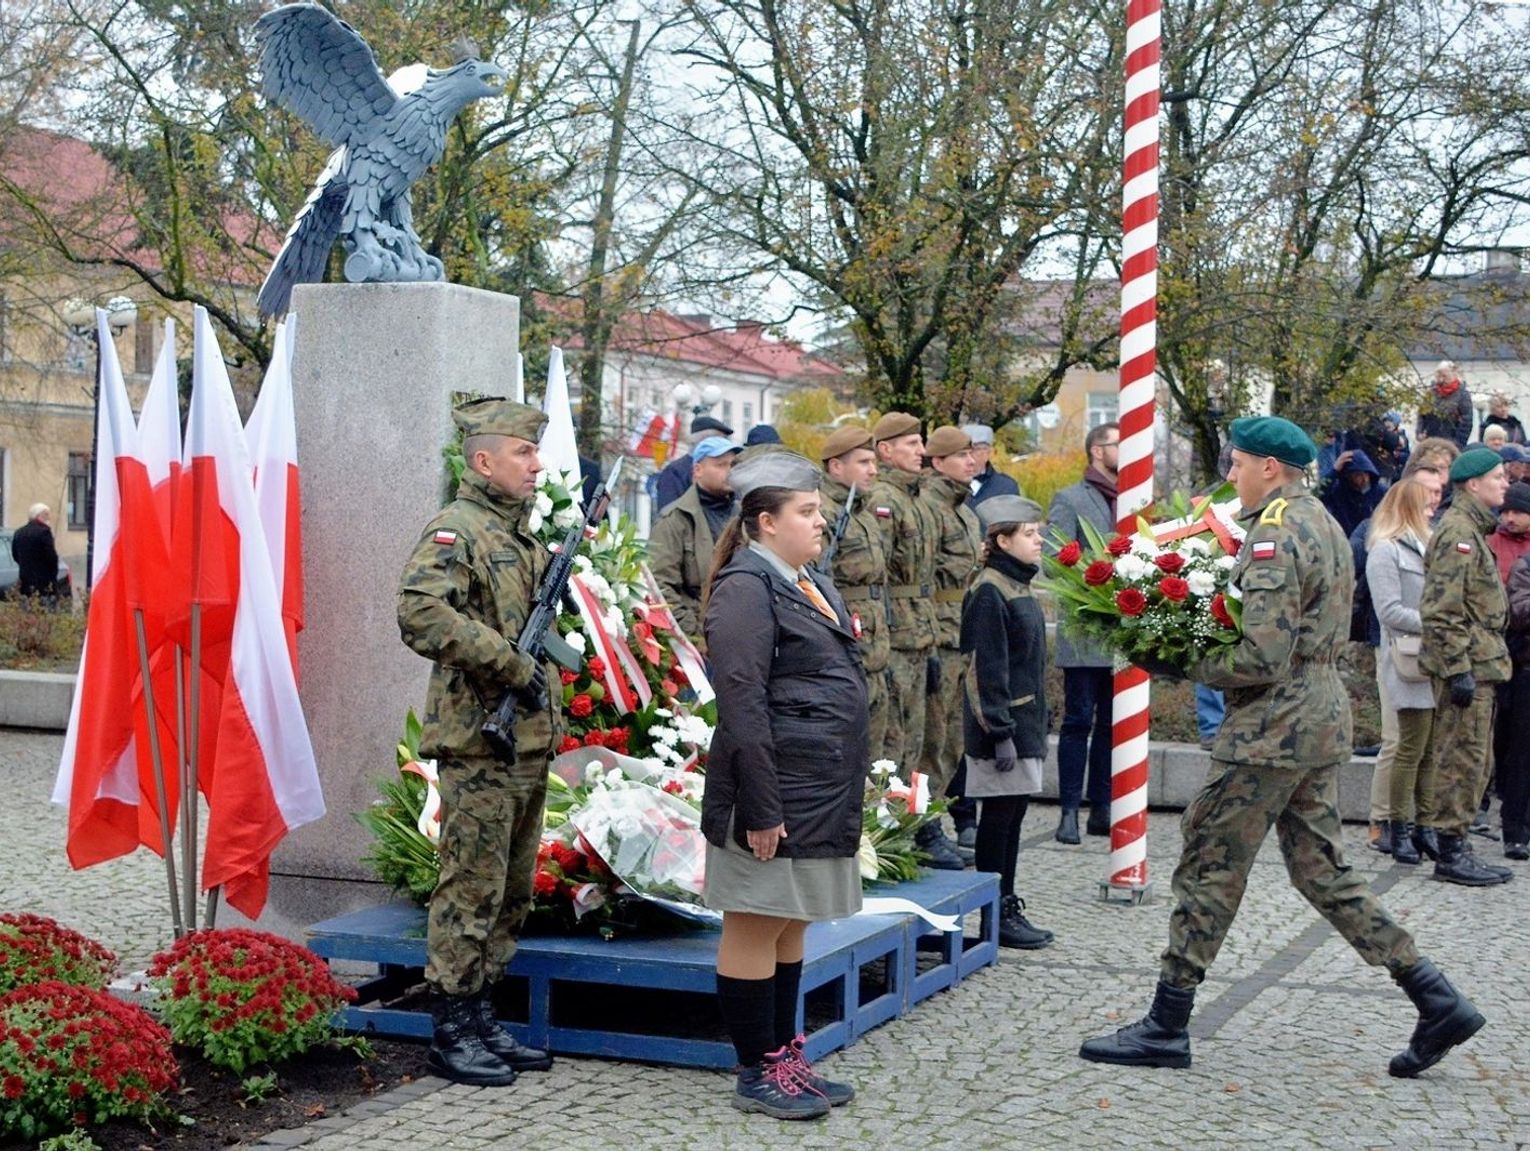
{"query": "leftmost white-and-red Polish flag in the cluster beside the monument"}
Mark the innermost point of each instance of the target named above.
(103, 774)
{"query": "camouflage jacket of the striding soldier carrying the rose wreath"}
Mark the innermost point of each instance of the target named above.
(1286, 703)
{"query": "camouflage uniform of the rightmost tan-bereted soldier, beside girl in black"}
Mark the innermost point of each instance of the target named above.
(957, 564)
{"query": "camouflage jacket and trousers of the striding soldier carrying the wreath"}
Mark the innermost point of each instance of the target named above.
(1277, 758)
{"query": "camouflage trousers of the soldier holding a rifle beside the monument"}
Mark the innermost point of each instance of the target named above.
(490, 832)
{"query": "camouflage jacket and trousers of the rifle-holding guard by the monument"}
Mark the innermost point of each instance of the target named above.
(464, 596)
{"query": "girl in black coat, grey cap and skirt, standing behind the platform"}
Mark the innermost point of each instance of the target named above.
(1004, 699)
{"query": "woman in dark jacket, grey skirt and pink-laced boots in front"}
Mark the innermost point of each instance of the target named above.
(786, 774)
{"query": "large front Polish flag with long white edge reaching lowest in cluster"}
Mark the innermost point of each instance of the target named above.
(261, 780)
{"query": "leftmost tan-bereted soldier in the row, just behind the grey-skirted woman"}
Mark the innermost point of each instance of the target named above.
(861, 564)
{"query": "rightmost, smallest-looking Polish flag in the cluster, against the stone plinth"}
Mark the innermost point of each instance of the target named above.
(272, 435)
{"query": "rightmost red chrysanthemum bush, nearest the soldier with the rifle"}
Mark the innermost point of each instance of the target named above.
(247, 997)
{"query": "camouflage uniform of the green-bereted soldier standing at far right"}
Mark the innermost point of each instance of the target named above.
(1465, 611)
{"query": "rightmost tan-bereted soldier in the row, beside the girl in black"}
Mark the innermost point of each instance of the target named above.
(959, 559)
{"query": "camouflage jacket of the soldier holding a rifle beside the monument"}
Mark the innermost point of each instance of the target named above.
(463, 599)
